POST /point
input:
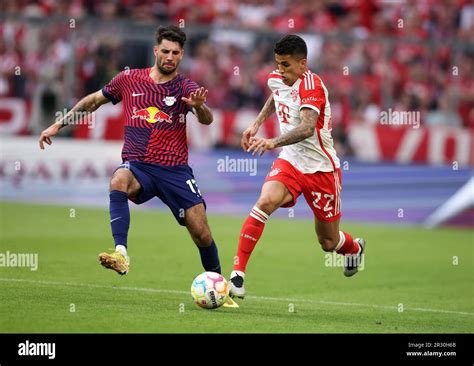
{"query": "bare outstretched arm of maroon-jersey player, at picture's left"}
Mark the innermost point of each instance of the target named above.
(89, 104)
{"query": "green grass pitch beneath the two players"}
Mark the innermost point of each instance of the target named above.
(414, 280)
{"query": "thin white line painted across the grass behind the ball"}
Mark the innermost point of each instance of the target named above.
(266, 298)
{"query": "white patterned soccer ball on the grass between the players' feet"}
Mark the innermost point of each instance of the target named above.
(209, 290)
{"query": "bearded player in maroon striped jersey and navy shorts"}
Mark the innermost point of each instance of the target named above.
(155, 152)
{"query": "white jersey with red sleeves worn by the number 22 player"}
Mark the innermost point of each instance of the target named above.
(316, 153)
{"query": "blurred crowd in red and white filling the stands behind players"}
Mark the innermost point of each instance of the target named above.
(372, 55)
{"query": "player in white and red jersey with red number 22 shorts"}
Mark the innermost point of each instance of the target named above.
(307, 164)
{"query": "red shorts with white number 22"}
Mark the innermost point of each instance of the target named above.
(321, 189)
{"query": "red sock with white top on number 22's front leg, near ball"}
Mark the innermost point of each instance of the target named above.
(251, 232)
